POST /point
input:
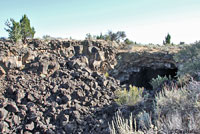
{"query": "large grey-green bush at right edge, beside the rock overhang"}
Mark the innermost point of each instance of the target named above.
(188, 60)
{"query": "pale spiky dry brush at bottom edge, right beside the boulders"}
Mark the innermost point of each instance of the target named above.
(120, 125)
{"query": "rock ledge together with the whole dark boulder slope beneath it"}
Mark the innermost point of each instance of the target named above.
(56, 87)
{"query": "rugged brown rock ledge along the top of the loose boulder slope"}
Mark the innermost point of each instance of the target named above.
(97, 55)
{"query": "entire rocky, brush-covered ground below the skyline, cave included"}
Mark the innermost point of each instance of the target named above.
(98, 87)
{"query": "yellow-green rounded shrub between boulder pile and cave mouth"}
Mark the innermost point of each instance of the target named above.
(131, 97)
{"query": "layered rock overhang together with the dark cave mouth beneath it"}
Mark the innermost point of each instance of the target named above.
(138, 68)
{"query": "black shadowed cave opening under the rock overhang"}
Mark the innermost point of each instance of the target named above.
(146, 74)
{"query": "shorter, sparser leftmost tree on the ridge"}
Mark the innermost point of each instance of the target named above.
(14, 30)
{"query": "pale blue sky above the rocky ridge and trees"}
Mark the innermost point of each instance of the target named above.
(144, 21)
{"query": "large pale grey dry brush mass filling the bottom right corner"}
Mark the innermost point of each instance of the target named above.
(179, 109)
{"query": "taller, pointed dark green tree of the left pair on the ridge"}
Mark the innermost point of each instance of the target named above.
(26, 30)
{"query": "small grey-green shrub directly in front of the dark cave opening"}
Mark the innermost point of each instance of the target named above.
(157, 82)
